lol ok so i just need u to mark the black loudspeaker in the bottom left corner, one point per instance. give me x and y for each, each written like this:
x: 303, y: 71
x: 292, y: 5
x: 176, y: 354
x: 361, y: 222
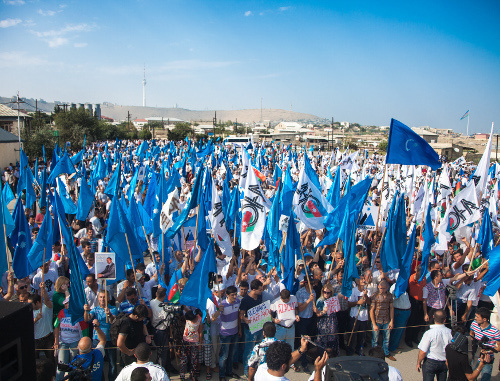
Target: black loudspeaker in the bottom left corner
x: 17, y: 343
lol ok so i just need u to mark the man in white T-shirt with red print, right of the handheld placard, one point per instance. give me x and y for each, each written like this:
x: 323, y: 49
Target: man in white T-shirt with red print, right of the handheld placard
x: 285, y: 313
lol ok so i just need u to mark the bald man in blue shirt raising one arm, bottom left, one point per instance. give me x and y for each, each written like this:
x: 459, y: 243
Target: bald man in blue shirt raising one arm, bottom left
x: 94, y: 358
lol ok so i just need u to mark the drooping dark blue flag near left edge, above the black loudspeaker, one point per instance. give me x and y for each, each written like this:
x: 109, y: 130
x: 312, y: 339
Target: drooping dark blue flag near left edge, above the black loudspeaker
x: 21, y: 241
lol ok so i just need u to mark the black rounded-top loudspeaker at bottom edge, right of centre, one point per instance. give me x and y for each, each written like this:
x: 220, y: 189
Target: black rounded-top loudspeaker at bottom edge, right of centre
x: 349, y: 368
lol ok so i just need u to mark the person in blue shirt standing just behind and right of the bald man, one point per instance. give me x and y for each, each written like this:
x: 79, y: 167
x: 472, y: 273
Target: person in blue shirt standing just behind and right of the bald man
x: 105, y: 316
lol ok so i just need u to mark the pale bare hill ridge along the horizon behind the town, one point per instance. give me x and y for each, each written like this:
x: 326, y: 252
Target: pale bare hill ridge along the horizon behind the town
x: 118, y: 113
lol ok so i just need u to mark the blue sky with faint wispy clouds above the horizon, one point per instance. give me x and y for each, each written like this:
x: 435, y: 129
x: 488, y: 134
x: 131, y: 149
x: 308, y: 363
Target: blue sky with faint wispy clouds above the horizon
x: 424, y: 63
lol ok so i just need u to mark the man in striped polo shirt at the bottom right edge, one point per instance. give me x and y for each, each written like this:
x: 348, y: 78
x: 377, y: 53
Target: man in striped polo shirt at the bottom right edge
x: 480, y: 328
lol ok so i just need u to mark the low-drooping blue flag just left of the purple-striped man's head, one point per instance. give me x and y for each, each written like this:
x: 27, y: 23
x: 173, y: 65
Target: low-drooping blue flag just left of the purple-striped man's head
x: 196, y: 292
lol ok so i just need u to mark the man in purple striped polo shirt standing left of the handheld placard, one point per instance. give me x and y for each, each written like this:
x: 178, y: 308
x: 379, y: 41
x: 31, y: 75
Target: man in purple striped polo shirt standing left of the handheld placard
x: 229, y: 329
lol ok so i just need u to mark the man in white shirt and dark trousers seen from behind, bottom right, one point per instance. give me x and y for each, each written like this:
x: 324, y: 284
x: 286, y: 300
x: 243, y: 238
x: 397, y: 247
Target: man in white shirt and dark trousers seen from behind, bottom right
x: 432, y: 348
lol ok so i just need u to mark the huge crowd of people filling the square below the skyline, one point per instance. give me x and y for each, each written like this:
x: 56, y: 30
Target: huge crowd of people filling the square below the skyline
x: 311, y: 316
